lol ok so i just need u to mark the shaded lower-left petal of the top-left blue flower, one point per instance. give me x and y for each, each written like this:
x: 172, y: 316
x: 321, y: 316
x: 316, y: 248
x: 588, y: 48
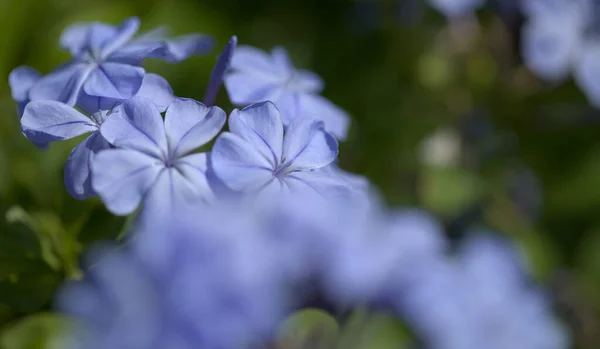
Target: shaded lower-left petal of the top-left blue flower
x: 63, y: 85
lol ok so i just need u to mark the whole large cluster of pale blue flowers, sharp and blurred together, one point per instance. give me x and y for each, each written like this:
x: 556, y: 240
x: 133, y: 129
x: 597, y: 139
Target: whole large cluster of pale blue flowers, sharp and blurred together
x: 231, y: 239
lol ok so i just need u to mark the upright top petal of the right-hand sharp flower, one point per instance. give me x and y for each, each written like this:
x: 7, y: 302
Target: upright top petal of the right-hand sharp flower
x: 260, y: 125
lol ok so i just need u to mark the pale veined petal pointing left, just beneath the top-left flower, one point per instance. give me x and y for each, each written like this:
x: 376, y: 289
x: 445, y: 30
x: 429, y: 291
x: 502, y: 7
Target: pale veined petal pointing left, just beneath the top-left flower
x: 52, y: 120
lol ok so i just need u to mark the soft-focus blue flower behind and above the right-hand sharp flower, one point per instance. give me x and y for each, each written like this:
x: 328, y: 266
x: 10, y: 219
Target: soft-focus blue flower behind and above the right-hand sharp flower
x: 257, y: 76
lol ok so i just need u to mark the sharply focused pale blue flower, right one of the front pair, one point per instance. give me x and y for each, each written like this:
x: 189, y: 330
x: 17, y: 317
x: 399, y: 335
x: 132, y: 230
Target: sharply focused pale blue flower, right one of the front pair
x: 257, y: 155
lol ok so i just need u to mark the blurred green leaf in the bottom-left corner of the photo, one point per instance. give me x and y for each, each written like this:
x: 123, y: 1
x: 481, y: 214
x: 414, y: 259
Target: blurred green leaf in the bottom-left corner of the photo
x: 40, y: 331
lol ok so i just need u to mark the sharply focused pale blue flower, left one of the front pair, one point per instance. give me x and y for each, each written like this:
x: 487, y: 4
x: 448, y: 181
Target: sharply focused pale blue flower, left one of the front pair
x: 155, y: 156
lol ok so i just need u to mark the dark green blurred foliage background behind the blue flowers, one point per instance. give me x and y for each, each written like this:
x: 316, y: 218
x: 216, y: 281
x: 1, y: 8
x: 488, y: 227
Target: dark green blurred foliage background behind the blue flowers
x: 444, y: 116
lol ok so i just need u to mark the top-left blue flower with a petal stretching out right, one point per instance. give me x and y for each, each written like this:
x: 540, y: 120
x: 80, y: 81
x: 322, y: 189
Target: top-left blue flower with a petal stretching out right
x: 106, y: 61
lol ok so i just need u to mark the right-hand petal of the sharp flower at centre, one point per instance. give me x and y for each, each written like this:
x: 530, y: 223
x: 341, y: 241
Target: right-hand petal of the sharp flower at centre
x: 307, y: 146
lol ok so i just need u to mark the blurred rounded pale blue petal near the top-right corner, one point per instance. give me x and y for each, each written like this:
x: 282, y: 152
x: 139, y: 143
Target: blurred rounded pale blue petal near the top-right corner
x: 549, y: 48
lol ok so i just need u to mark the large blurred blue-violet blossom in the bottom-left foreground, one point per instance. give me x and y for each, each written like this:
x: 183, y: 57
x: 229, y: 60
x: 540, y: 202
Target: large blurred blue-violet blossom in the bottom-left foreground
x: 192, y: 282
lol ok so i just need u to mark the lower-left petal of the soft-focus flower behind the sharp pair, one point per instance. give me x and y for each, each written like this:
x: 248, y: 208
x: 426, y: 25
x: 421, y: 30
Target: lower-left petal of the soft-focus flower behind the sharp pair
x: 244, y: 88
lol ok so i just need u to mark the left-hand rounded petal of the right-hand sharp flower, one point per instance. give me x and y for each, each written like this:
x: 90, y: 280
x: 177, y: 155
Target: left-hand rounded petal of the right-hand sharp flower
x: 238, y: 164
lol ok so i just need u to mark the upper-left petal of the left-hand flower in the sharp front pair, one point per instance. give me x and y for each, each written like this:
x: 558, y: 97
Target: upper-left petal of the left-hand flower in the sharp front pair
x: 137, y: 126
